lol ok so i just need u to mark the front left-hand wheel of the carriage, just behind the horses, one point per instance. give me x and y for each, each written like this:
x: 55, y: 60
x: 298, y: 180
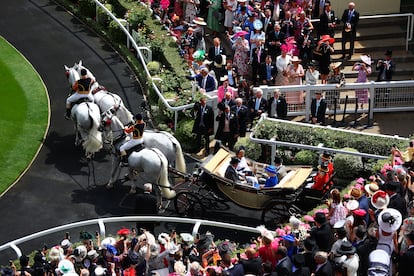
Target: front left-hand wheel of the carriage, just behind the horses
x: 188, y: 205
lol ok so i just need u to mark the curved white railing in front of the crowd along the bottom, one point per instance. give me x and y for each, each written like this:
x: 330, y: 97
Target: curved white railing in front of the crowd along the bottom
x: 100, y: 222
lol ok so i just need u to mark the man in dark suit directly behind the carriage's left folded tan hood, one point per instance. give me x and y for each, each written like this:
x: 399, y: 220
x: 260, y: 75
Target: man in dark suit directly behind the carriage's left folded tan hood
x: 228, y: 129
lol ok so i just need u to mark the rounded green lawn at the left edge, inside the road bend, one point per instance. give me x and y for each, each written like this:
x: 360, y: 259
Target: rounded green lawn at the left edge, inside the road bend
x: 24, y: 114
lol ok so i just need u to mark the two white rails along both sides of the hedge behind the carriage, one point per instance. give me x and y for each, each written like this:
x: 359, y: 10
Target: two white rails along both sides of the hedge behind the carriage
x: 319, y: 148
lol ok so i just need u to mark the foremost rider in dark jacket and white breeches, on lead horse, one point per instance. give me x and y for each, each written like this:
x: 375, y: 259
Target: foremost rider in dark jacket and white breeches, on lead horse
x: 83, y: 91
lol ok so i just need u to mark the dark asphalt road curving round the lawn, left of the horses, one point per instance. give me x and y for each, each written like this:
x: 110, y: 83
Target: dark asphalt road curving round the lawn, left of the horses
x: 60, y: 187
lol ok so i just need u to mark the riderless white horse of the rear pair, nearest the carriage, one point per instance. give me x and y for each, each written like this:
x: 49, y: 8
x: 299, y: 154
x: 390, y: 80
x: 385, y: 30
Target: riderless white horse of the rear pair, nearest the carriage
x: 164, y: 141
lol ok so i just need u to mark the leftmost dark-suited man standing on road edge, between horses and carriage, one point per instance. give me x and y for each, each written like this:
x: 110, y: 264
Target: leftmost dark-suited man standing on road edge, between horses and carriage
x: 203, y: 124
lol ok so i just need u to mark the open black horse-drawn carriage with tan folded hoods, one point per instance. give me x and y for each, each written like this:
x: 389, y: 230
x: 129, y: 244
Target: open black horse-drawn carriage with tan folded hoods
x: 290, y: 196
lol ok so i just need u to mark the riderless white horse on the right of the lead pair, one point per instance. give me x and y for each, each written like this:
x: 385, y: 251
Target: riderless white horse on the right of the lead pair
x: 105, y: 99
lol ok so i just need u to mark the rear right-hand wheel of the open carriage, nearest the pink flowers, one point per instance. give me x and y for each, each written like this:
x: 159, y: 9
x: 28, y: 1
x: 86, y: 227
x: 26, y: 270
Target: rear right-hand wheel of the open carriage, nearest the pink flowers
x: 275, y: 214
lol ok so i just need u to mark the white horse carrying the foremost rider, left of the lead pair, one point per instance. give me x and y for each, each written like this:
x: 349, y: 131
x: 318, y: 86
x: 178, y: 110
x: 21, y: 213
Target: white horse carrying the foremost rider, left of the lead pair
x: 86, y: 117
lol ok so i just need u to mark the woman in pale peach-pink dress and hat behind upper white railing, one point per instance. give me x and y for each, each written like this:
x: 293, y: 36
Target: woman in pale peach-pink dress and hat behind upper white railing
x: 295, y: 74
